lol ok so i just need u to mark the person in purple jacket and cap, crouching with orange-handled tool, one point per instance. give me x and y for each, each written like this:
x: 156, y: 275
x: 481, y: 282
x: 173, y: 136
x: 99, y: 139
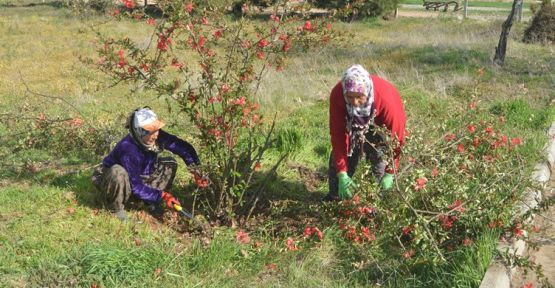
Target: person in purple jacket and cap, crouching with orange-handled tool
x: 133, y: 168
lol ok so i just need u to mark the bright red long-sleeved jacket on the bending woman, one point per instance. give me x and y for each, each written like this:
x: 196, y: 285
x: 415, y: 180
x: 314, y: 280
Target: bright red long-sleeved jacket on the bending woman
x: 389, y: 113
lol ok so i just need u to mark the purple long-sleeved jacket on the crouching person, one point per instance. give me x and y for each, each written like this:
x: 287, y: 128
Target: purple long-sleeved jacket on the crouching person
x: 137, y: 161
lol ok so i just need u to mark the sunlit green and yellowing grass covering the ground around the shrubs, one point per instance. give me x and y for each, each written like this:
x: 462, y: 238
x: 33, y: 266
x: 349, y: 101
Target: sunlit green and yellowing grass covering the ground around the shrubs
x: 52, y: 235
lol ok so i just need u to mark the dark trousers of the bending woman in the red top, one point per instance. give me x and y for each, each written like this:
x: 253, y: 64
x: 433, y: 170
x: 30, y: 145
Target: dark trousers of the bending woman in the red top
x: 374, y: 148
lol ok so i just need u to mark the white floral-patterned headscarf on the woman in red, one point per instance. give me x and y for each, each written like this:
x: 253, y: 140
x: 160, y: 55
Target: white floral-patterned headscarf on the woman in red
x: 357, y: 79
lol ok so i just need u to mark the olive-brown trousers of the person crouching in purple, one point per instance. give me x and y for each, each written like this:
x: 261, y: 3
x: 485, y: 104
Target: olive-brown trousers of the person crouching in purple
x: 115, y: 188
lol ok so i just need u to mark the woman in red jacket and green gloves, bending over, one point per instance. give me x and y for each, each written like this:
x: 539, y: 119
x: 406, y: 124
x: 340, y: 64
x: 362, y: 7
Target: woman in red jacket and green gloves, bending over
x: 358, y: 104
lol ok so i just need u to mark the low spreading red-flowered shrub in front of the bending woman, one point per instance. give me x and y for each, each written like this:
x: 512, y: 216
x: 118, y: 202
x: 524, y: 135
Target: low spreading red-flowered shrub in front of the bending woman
x: 448, y: 191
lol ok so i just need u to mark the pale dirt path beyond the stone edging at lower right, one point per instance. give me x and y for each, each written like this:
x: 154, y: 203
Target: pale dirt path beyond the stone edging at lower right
x: 544, y: 255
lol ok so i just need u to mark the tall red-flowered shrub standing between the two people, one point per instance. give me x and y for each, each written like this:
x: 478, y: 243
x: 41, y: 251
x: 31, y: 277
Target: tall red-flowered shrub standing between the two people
x: 211, y: 66
